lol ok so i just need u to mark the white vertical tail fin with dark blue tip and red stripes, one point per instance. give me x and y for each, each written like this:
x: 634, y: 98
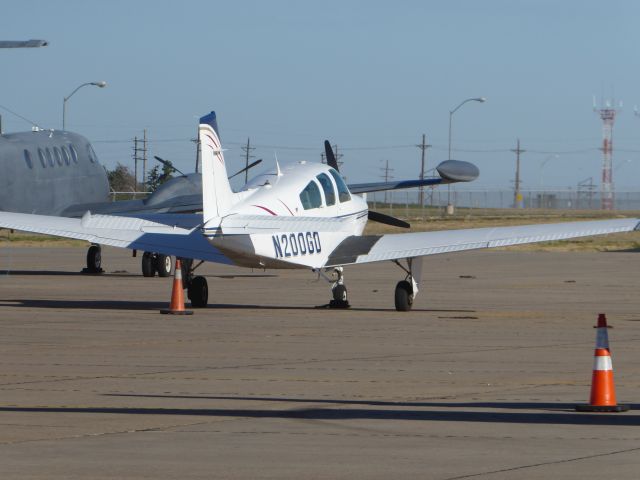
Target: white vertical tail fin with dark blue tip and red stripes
x: 217, y: 196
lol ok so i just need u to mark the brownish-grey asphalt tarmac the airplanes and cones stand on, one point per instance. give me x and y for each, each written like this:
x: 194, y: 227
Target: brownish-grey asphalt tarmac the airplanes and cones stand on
x: 478, y: 381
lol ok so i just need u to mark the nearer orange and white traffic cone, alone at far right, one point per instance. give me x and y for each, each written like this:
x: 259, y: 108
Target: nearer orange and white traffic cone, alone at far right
x: 603, y: 391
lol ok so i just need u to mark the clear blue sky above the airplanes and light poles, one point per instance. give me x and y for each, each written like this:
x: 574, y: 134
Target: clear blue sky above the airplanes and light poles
x: 373, y: 74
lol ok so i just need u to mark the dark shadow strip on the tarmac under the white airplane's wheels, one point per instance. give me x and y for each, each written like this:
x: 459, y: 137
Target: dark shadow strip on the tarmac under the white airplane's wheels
x: 152, y: 305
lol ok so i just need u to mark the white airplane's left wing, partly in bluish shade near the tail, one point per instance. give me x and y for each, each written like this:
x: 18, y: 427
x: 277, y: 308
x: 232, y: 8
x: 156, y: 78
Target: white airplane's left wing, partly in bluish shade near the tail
x: 178, y: 235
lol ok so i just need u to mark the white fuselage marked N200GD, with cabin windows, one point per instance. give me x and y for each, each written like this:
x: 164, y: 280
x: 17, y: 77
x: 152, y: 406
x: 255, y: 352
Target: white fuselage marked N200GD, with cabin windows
x: 299, y: 191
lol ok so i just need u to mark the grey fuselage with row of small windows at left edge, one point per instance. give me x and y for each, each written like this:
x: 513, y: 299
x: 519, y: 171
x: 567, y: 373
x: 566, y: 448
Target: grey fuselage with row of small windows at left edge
x: 46, y: 172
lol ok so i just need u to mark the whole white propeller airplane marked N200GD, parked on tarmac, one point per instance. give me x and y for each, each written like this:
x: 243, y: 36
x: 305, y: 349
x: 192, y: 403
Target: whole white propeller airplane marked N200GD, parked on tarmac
x: 302, y: 216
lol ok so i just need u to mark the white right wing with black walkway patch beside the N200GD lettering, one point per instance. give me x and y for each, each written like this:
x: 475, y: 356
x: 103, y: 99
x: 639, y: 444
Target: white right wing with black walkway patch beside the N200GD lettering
x: 375, y: 248
